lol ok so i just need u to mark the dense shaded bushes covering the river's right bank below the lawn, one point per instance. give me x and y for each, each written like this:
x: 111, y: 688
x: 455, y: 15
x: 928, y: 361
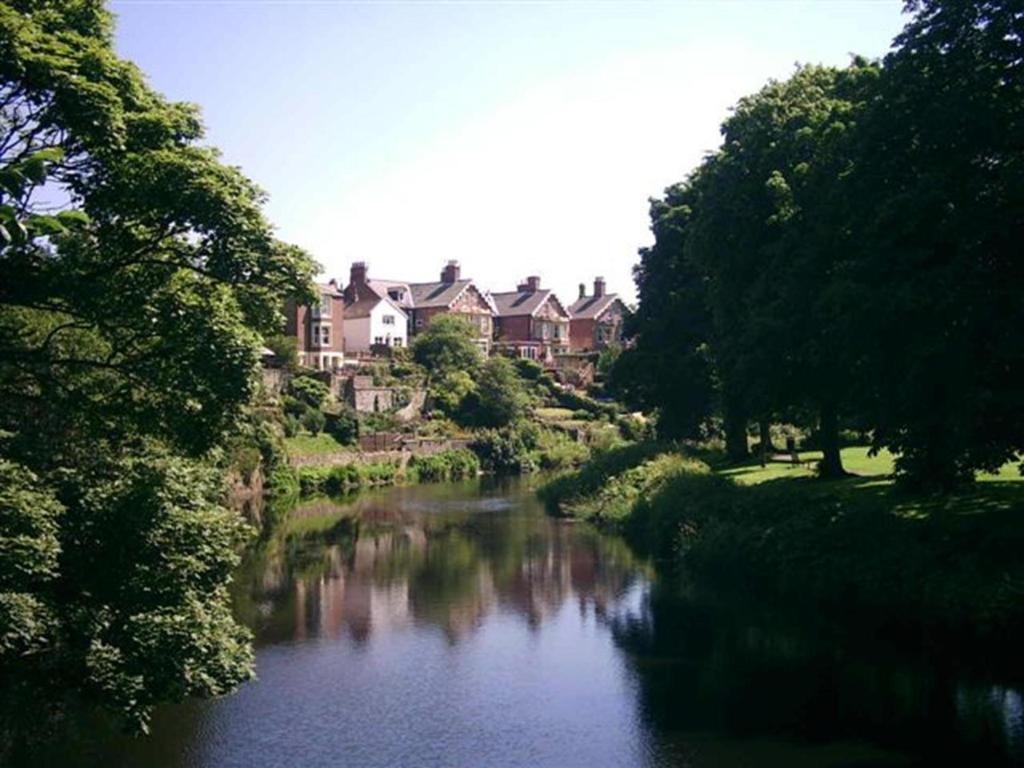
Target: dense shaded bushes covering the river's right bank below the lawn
x: 953, y: 560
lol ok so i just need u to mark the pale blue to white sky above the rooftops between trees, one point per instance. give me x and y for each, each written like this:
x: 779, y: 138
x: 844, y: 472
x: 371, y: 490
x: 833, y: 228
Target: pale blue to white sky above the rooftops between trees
x: 518, y: 138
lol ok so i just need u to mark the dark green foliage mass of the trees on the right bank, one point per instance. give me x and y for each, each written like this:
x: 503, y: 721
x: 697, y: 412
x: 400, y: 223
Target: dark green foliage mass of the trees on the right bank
x: 846, y: 259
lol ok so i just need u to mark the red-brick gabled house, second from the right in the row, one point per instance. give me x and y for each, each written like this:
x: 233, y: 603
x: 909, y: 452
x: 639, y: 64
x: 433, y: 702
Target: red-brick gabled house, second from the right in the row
x: 531, y: 322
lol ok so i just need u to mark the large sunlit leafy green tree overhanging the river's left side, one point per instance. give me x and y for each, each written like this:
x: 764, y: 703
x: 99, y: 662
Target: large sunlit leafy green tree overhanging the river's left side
x: 138, y: 276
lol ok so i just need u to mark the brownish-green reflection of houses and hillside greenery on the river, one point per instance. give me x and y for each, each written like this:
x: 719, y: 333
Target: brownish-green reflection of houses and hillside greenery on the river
x: 438, y: 557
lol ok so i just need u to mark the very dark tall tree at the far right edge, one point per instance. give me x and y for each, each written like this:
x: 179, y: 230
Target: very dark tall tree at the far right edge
x: 941, y: 220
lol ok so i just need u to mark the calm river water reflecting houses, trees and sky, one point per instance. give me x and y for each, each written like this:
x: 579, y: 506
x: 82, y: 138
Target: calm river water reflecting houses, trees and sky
x: 458, y: 626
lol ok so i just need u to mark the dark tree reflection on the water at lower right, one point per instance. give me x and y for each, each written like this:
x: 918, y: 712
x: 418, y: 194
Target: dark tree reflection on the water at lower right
x: 746, y: 671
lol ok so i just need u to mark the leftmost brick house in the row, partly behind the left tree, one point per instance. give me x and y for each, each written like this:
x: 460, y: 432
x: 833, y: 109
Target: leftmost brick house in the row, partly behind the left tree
x: 320, y: 329
